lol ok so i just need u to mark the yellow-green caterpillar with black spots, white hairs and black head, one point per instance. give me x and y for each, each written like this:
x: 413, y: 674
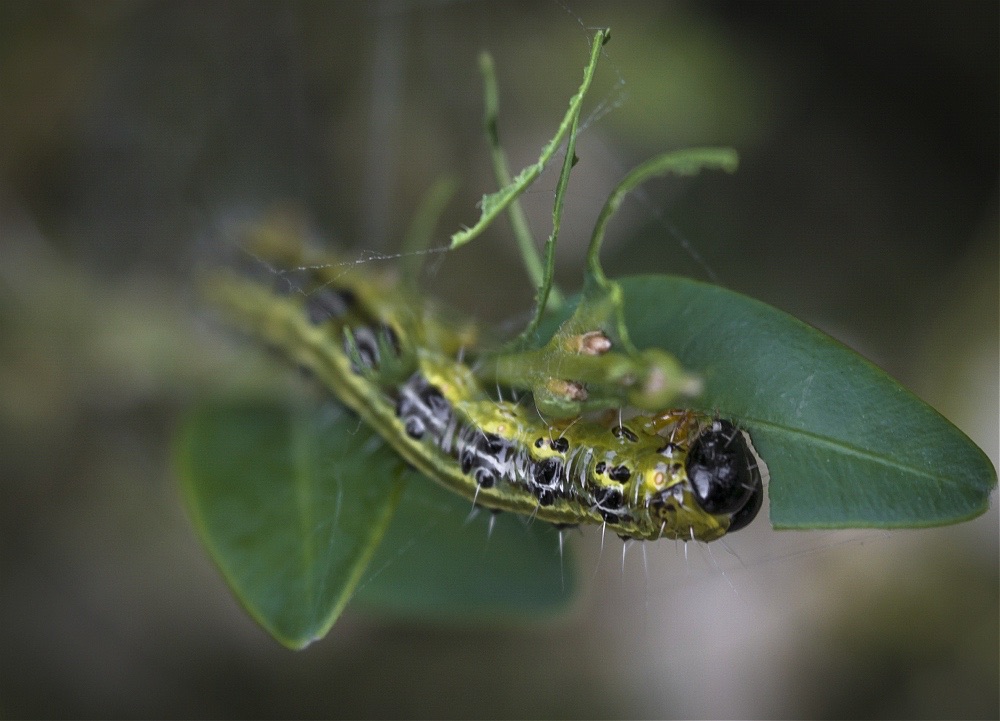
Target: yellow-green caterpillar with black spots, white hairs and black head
x: 408, y: 370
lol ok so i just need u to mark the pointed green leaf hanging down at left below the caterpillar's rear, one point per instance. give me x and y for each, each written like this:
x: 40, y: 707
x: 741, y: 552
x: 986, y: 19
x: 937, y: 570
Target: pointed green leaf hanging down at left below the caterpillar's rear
x: 290, y: 524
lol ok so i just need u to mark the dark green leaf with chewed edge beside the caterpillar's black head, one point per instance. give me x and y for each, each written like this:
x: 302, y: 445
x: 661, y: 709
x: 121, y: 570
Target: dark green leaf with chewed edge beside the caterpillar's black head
x: 845, y: 444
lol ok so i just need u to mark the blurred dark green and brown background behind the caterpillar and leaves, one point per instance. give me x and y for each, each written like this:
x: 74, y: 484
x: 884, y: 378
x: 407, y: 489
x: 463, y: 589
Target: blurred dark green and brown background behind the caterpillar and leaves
x: 866, y: 203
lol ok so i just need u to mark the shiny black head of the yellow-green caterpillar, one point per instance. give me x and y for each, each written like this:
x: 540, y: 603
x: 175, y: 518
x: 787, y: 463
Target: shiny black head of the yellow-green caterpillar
x: 724, y: 475
